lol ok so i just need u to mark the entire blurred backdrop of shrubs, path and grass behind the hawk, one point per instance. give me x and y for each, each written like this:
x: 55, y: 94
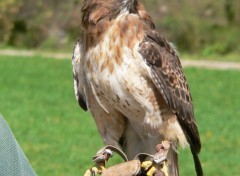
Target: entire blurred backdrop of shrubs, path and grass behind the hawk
x: 36, y: 89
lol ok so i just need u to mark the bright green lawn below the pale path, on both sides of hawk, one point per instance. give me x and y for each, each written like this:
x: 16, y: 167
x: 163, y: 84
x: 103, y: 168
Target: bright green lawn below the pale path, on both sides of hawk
x: 37, y: 100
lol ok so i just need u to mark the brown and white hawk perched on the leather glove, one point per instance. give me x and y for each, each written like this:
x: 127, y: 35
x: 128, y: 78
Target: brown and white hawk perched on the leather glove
x: 132, y: 81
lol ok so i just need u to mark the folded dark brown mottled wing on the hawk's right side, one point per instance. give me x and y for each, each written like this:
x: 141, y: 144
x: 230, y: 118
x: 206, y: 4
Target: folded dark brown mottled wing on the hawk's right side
x: 167, y: 75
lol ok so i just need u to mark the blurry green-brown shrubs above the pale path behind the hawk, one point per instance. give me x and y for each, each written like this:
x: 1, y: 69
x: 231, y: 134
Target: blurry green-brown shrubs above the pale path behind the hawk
x: 204, y: 27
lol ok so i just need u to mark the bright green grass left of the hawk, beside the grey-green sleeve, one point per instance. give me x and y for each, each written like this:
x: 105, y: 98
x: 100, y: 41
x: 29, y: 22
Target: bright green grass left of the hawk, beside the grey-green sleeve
x: 37, y: 101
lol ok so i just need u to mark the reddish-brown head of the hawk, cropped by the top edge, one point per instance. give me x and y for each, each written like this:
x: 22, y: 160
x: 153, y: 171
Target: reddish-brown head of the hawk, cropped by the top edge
x: 101, y: 11
